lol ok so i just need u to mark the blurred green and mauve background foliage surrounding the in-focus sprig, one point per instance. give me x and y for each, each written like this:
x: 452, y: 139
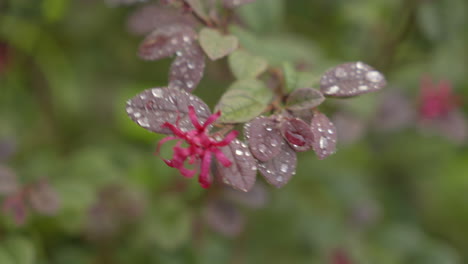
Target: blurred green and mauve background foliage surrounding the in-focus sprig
x: 395, y: 191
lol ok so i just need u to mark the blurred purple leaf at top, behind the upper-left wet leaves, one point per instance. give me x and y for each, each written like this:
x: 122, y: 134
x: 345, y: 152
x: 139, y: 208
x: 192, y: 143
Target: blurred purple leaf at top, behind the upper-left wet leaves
x: 150, y: 17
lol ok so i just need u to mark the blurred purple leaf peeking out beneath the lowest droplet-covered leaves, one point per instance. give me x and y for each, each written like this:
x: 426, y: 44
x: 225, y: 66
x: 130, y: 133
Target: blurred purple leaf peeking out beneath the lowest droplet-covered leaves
x: 255, y: 198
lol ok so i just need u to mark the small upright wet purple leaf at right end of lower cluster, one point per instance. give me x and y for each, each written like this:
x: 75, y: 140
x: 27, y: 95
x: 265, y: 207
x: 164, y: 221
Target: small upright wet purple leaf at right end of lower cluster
x: 324, y: 135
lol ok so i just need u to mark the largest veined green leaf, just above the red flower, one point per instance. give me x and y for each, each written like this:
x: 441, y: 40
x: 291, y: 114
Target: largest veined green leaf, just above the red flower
x: 244, y: 100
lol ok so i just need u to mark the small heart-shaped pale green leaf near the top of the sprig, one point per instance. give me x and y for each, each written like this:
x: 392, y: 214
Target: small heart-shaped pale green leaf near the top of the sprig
x: 215, y: 44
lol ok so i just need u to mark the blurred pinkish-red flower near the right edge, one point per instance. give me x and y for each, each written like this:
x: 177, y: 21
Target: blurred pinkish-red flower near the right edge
x: 437, y: 101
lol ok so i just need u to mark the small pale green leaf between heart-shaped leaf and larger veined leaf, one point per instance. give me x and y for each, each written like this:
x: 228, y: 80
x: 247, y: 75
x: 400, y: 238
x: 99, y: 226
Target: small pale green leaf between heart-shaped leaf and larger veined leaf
x: 245, y: 65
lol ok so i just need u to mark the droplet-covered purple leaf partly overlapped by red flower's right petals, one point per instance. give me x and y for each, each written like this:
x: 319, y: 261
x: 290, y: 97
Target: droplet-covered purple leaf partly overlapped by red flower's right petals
x: 242, y: 173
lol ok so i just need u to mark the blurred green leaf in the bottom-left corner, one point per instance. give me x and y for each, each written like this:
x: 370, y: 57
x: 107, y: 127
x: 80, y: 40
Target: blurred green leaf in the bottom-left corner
x: 21, y: 249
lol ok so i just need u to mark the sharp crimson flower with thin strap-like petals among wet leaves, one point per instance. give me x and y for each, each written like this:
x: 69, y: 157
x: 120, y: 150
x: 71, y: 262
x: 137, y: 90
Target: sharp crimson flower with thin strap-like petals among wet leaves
x: 201, y: 147
